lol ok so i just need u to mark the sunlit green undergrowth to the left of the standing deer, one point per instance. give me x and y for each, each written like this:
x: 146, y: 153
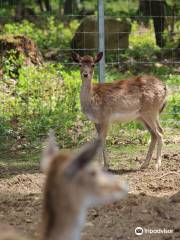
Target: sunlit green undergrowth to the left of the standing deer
x: 42, y: 98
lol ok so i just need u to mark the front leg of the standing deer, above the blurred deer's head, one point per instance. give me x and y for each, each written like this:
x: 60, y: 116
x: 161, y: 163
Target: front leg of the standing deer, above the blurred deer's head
x: 102, y: 133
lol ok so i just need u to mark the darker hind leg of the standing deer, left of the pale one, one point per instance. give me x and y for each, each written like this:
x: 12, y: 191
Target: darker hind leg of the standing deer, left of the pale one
x: 151, y: 146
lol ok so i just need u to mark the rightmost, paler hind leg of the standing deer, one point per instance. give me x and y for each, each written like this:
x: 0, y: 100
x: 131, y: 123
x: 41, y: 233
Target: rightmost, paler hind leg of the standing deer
x: 157, y: 130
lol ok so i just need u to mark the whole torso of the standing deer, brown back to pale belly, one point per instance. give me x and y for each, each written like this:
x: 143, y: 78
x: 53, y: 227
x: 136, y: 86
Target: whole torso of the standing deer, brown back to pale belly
x: 125, y: 100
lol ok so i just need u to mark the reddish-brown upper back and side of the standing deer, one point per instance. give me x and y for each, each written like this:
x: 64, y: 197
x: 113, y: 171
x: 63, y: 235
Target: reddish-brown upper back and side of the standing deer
x: 143, y: 88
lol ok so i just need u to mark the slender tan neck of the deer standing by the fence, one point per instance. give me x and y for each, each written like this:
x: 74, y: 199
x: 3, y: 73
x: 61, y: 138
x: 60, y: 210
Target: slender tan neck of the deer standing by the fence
x: 86, y: 94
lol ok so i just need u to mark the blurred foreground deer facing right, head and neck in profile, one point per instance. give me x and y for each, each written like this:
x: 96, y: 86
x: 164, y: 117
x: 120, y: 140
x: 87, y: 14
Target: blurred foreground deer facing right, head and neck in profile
x: 72, y: 185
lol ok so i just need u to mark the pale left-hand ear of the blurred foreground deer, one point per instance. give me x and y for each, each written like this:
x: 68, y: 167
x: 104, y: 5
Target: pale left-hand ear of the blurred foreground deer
x: 49, y: 151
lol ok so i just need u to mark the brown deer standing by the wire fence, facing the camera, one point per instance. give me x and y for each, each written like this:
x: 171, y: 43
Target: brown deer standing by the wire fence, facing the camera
x: 139, y: 98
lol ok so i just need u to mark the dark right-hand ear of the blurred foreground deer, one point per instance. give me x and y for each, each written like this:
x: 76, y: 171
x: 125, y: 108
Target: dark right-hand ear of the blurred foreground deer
x: 84, y: 157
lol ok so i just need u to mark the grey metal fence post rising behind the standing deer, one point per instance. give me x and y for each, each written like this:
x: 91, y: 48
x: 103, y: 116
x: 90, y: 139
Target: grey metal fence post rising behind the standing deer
x: 101, y: 40
